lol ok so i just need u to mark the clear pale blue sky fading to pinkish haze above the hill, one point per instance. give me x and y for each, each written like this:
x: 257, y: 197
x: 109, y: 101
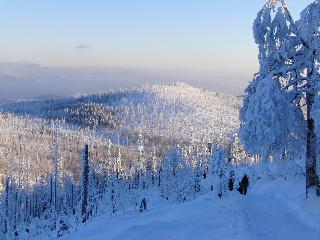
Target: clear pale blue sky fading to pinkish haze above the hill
x: 207, y: 43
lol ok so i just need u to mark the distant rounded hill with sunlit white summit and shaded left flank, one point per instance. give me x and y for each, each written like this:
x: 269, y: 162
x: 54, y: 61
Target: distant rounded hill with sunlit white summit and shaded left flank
x: 178, y: 110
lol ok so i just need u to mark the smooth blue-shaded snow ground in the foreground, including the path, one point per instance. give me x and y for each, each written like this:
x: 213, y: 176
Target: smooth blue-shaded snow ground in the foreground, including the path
x: 273, y: 209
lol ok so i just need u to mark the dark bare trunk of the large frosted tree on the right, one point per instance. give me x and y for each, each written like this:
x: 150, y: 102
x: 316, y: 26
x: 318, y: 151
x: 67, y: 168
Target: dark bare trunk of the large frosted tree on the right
x: 311, y: 151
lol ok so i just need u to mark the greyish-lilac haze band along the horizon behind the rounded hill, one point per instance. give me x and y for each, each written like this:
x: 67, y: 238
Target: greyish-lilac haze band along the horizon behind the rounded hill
x: 28, y: 80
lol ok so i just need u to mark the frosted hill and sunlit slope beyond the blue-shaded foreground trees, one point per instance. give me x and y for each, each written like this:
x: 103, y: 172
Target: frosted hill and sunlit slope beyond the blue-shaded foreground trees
x: 158, y: 117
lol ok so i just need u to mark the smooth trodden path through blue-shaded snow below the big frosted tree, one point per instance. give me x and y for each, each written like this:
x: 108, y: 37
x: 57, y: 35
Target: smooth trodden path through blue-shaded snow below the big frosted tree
x: 269, y: 218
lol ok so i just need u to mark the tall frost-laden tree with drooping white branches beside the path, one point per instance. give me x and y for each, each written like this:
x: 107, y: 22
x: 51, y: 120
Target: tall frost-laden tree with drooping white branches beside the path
x: 277, y: 112
